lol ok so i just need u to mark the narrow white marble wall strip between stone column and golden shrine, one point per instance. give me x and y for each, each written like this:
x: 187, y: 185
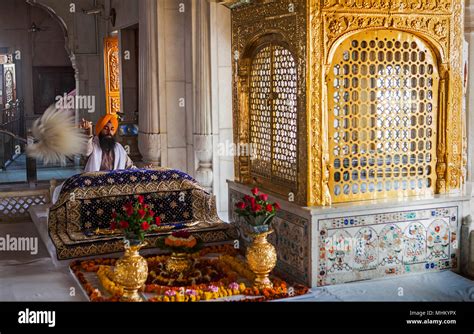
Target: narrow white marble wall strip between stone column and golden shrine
x: 221, y: 87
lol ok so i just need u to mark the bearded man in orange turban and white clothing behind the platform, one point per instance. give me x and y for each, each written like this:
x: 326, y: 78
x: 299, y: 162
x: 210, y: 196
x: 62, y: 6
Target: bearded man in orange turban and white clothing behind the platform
x: 103, y: 152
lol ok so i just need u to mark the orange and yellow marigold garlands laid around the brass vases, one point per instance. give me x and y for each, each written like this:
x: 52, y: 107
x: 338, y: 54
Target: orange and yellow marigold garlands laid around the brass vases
x: 231, y: 266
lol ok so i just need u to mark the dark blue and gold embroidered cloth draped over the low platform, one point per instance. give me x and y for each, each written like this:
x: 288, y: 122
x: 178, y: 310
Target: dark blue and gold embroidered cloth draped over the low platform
x: 79, y: 223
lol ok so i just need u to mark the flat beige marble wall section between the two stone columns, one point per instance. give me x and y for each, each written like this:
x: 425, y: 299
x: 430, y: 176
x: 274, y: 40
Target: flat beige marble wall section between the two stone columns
x: 176, y: 120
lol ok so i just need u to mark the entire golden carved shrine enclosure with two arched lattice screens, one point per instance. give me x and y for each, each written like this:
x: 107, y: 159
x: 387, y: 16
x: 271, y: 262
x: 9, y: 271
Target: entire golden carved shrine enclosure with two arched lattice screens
x: 349, y: 100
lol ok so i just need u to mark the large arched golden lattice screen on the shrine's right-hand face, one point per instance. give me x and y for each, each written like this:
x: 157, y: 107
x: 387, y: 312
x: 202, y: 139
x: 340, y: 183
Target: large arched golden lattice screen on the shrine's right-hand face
x: 382, y: 105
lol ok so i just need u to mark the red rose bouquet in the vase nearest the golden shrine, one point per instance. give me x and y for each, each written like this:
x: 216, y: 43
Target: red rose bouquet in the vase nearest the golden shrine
x: 257, y: 211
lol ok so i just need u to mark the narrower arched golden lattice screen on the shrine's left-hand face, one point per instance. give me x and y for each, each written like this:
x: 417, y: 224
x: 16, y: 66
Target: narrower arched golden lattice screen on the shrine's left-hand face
x: 273, y: 115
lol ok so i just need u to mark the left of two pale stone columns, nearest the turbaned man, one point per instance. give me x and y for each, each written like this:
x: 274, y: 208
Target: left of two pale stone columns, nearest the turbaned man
x: 149, y: 140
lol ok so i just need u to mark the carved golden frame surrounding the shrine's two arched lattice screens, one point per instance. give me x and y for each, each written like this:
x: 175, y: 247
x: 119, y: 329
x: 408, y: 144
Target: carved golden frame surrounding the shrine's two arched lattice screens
x: 313, y: 31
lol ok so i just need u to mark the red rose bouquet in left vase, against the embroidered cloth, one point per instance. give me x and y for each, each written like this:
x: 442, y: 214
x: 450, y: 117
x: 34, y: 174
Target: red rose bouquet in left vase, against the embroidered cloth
x: 136, y: 220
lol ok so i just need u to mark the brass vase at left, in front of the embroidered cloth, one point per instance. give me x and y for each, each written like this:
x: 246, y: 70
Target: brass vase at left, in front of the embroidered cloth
x: 131, y: 272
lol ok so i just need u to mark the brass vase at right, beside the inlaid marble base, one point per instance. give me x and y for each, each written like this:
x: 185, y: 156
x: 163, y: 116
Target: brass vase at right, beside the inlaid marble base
x: 261, y: 259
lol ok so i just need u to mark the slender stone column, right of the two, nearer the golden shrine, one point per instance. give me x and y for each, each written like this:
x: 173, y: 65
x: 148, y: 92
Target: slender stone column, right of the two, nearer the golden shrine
x: 202, y: 94
